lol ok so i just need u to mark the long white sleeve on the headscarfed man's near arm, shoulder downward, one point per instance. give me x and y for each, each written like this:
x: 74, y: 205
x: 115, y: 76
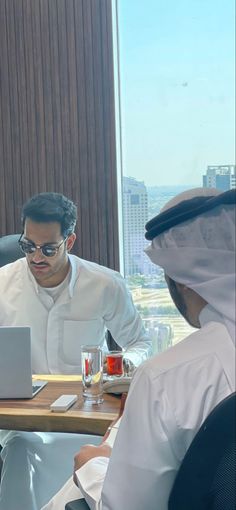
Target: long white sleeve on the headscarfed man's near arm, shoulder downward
x: 143, y: 463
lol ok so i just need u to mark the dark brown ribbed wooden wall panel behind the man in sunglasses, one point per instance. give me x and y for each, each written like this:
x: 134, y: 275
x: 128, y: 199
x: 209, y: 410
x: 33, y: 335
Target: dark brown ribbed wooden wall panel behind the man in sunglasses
x: 57, y: 119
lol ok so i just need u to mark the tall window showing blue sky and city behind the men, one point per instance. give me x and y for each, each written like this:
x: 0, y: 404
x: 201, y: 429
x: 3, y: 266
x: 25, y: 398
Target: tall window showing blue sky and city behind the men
x: 176, y: 70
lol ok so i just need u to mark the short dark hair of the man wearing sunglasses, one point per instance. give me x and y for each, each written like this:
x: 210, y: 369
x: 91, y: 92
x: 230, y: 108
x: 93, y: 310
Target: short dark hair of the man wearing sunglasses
x: 49, y: 207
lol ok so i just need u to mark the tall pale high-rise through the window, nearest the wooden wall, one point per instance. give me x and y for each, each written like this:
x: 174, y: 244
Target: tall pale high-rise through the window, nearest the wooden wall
x: 135, y: 216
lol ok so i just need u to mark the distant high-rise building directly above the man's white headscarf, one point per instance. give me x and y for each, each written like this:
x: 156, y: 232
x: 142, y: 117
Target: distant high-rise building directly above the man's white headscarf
x: 222, y: 177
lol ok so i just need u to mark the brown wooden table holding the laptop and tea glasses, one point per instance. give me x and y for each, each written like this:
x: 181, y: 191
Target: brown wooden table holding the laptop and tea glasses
x: 35, y: 414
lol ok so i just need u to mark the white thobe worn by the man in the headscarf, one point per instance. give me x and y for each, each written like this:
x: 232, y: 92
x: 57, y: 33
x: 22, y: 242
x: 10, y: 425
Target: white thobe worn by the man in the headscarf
x: 170, y: 397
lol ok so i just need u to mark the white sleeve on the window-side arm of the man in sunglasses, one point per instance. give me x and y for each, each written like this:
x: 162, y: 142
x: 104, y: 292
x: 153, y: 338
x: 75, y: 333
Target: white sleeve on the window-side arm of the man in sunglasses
x: 125, y: 324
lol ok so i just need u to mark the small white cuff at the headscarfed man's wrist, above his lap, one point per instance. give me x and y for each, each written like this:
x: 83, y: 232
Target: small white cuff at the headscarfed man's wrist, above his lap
x: 90, y: 479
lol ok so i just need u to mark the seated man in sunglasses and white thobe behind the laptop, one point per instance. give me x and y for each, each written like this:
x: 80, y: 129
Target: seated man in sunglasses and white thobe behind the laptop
x: 67, y: 302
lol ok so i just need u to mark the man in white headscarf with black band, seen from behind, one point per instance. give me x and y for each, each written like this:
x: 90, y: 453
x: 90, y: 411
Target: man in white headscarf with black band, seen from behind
x: 171, y: 395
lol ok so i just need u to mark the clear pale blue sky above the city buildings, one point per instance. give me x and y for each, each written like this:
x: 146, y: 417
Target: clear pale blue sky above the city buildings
x: 177, y: 88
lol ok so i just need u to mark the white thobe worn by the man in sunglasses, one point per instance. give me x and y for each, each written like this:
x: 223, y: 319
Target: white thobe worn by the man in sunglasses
x: 95, y: 299
